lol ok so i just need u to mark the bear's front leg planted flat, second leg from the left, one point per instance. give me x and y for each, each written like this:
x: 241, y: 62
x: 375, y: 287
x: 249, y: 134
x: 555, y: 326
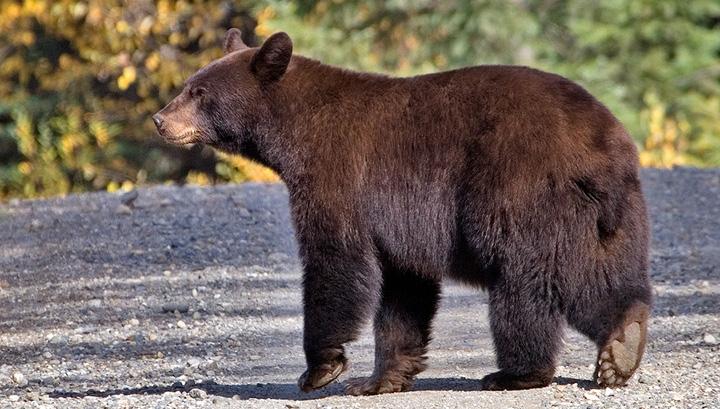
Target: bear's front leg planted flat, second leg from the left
x: 402, y: 333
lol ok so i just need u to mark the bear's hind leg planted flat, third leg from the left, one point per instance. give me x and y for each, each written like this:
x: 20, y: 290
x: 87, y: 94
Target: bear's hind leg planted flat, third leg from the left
x: 526, y: 328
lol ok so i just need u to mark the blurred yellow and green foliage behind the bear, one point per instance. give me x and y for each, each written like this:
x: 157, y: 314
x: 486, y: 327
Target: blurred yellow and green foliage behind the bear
x: 79, y: 79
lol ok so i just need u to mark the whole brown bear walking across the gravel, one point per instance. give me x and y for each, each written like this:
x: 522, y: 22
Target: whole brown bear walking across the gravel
x: 506, y: 178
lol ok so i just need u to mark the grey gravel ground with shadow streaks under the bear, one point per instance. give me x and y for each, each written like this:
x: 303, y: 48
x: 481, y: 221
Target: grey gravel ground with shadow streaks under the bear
x: 192, y: 299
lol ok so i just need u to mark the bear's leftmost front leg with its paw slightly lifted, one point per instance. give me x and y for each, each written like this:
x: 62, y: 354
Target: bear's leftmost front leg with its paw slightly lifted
x: 341, y: 286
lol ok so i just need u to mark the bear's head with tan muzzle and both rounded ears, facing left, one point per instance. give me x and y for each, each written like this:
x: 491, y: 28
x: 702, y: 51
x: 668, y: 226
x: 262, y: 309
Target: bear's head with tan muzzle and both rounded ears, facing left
x: 225, y: 103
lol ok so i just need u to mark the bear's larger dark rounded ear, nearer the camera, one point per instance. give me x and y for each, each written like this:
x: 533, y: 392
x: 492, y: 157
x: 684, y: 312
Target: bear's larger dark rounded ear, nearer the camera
x: 271, y: 60
